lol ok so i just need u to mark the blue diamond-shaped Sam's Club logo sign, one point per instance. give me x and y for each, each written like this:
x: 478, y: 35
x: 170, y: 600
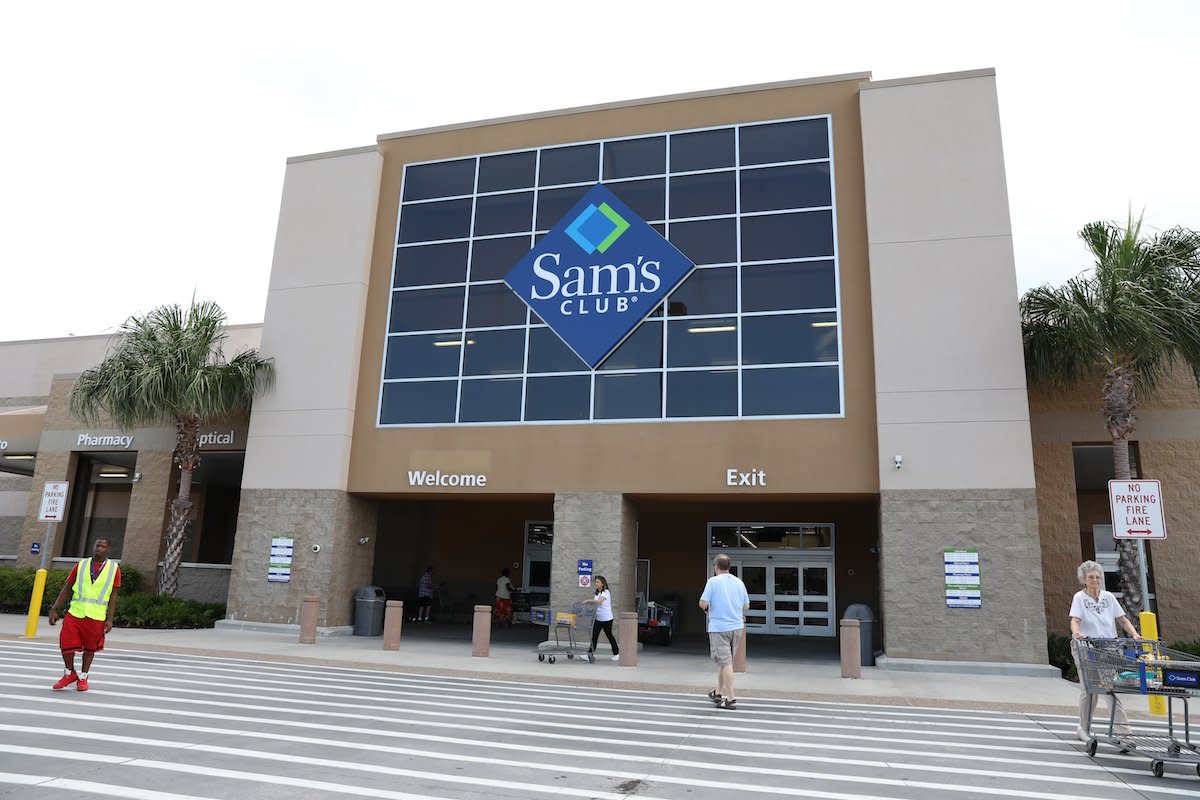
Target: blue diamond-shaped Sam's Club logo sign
x: 598, y: 274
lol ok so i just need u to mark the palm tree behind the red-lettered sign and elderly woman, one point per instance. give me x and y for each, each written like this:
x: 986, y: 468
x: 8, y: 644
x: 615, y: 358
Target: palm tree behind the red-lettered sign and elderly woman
x: 1132, y: 320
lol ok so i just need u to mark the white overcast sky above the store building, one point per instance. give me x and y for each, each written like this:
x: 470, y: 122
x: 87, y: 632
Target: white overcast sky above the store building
x: 143, y: 148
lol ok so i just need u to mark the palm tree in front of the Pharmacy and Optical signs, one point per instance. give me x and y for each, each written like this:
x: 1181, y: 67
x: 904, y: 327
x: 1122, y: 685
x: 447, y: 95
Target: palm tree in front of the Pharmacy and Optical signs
x: 170, y: 368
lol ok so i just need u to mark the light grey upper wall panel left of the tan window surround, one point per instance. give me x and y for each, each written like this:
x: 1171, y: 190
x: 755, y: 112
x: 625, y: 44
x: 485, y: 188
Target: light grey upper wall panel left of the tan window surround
x: 301, y: 432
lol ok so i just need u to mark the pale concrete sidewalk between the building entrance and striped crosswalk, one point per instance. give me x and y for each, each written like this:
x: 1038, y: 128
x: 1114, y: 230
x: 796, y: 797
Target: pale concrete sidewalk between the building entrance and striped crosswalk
x: 446, y: 649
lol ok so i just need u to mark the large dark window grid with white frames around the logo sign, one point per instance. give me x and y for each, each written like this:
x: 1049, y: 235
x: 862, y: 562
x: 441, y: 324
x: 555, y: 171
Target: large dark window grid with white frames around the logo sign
x: 497, y: 389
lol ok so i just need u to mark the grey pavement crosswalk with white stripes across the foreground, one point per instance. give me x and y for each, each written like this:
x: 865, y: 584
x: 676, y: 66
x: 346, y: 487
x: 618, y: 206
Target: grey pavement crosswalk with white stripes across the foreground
x: 171, y: 726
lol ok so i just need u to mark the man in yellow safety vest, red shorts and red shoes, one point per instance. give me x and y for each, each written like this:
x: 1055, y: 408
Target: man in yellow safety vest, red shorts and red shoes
x: 92, y: 587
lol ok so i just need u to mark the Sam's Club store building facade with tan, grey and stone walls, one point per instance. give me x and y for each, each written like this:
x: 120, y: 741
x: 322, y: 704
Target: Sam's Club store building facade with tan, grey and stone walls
x: 777, y: 322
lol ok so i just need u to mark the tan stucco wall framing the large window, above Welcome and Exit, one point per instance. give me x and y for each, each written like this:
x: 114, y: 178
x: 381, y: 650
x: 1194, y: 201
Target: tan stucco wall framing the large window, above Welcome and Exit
x: 677, y: 458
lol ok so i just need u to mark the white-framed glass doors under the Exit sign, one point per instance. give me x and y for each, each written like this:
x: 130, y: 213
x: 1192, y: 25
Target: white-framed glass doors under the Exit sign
x: 789, y: 575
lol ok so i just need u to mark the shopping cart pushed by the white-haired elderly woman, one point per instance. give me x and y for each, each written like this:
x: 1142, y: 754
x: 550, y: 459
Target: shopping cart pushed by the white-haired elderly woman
x: 1142, y: 667
